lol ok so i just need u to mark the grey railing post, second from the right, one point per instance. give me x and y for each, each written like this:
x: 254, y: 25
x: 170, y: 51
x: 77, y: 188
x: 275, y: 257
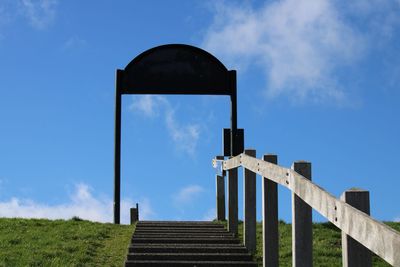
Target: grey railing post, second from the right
x: 301, y: 223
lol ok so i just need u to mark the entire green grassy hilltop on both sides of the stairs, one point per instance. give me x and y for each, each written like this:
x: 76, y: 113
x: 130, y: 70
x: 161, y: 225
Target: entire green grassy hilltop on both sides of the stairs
x: 33, y: 242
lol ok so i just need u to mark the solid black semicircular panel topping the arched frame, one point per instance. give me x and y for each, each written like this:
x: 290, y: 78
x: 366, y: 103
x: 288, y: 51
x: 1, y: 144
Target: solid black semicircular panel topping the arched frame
x: 175, y: 69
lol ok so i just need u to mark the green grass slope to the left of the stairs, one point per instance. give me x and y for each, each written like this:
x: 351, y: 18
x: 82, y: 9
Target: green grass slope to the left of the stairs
x: 34, y: 242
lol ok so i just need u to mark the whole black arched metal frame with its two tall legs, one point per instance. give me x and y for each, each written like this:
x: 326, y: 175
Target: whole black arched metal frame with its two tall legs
x: 172, y: 69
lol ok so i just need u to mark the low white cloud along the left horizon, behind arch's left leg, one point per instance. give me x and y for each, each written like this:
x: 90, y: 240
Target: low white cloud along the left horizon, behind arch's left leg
x: 82, y: 204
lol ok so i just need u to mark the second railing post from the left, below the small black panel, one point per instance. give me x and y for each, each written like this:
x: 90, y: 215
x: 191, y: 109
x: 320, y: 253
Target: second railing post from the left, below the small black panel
x: 233, y: 201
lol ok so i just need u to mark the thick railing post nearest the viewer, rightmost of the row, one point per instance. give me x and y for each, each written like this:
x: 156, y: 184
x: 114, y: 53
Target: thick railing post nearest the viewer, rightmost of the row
x: 355, y: 254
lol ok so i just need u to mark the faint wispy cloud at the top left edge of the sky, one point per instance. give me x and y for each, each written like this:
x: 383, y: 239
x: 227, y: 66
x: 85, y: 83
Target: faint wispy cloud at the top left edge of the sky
x: 40, y: 13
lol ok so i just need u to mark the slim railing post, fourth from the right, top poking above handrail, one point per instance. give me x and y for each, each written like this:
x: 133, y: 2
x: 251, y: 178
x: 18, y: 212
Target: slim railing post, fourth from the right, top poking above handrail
x: 249, y: 206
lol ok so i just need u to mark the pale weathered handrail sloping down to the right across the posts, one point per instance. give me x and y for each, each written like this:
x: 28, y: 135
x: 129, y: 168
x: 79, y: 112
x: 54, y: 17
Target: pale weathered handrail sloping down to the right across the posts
x: 376, y: 236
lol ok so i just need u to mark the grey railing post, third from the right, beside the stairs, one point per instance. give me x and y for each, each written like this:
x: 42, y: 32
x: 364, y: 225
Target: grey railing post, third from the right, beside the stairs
x: 270, y: 218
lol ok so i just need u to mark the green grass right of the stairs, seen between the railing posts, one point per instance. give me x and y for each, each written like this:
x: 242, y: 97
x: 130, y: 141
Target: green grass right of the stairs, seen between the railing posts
x: 327, y: 249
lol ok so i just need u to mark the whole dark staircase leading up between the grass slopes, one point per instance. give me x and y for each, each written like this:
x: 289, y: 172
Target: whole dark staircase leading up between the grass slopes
x: 159, y: 243
